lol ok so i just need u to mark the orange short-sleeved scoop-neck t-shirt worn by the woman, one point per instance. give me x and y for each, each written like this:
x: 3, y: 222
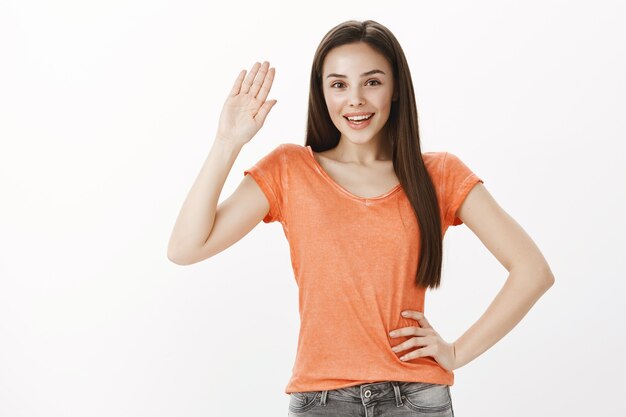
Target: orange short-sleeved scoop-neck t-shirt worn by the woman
x: 354, y: 261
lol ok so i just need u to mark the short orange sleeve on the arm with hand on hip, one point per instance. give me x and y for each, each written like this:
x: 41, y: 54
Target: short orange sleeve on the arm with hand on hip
x: 458, y: 180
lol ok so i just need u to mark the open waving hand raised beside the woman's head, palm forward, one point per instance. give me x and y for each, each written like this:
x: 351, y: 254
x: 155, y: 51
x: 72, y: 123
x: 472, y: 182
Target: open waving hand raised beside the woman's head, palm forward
x: 246, y: 108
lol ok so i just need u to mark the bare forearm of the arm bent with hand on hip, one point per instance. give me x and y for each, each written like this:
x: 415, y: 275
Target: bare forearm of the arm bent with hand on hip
x: 522, y: 289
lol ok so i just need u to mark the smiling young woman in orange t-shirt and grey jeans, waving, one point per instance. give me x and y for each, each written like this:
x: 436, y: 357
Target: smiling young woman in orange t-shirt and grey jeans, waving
x: 365, y: 212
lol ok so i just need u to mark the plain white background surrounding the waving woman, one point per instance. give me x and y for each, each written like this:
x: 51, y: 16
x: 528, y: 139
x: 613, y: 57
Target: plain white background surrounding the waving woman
x: 108, y: 109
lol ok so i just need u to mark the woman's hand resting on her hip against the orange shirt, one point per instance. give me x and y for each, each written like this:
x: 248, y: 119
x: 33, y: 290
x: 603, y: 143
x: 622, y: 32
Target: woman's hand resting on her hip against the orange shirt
x: 425, y: 336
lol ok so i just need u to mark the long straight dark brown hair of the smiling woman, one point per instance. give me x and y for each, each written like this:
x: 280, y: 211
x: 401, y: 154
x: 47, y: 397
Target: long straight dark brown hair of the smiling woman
x: 401, y: 130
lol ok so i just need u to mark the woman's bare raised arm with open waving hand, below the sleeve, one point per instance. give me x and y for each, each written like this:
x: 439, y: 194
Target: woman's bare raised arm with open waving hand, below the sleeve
x: 197, y: 234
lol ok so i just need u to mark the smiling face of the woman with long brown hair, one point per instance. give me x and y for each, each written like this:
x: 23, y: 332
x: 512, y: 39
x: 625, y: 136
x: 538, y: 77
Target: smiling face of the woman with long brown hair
x: 357, y: 80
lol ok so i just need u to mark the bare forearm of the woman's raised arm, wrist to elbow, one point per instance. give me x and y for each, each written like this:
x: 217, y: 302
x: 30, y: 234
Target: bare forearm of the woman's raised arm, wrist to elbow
x: 197, y: 215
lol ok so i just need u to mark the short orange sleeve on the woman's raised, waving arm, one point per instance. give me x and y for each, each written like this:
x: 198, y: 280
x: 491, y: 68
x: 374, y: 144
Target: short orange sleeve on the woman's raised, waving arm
x: 268, y: 174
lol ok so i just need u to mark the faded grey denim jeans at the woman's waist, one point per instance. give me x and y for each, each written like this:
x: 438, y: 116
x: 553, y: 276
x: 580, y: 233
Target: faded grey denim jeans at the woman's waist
x: 388, y: 398
